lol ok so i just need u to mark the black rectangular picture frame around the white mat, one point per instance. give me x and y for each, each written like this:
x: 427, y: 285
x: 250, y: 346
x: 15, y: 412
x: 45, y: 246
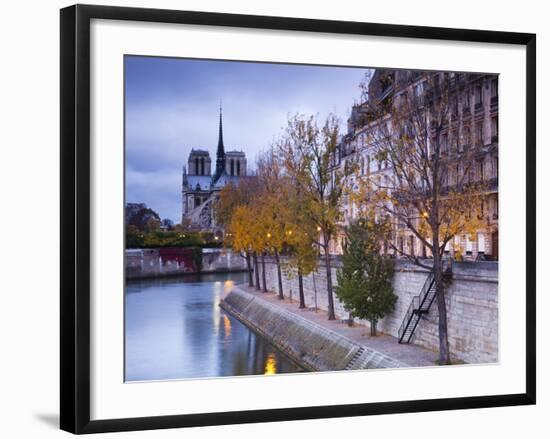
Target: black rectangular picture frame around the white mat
x: 75, y: 217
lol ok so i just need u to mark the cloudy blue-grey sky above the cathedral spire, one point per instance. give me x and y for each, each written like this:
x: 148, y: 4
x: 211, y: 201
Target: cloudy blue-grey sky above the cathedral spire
x: 172, y: 105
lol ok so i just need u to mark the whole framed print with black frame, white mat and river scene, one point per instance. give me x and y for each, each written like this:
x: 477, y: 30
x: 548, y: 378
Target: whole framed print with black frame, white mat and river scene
x: 259, y: 214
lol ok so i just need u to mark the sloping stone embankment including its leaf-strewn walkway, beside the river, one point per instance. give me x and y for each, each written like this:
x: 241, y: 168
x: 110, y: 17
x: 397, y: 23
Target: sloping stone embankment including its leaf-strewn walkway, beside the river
x: 314, y: 342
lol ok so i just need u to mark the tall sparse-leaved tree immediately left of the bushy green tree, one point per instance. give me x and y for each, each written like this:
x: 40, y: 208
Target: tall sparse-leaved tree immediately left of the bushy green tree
x: 306, y: 150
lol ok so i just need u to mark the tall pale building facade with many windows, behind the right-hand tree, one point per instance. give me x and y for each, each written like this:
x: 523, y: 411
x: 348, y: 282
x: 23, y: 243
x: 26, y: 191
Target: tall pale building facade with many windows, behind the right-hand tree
x: 472, y: 126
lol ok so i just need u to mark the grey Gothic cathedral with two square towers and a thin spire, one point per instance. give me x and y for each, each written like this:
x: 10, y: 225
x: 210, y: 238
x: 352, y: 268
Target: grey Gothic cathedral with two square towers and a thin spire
x: 200, y: 188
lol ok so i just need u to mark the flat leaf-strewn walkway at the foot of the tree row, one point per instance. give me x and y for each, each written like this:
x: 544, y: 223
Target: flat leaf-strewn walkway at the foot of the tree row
x: 410, y: 354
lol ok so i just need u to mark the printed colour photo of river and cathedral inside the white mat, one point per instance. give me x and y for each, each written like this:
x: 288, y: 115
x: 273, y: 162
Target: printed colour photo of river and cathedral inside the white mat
x: 296, y: 218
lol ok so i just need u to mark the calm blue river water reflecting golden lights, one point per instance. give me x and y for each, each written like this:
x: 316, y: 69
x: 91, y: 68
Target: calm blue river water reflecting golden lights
x: 174, y: 329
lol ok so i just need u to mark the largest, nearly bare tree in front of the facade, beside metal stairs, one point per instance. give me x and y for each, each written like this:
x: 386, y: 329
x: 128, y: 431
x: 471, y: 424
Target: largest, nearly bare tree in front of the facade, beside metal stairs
x: 426, y: 184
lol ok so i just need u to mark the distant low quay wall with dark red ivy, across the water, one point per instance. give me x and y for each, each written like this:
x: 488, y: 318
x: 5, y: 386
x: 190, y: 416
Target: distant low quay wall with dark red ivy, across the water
x: 172, y: 261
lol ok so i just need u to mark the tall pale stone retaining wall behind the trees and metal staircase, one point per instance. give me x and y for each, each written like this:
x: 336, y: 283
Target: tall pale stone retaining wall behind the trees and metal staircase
x: 471, y: 296
